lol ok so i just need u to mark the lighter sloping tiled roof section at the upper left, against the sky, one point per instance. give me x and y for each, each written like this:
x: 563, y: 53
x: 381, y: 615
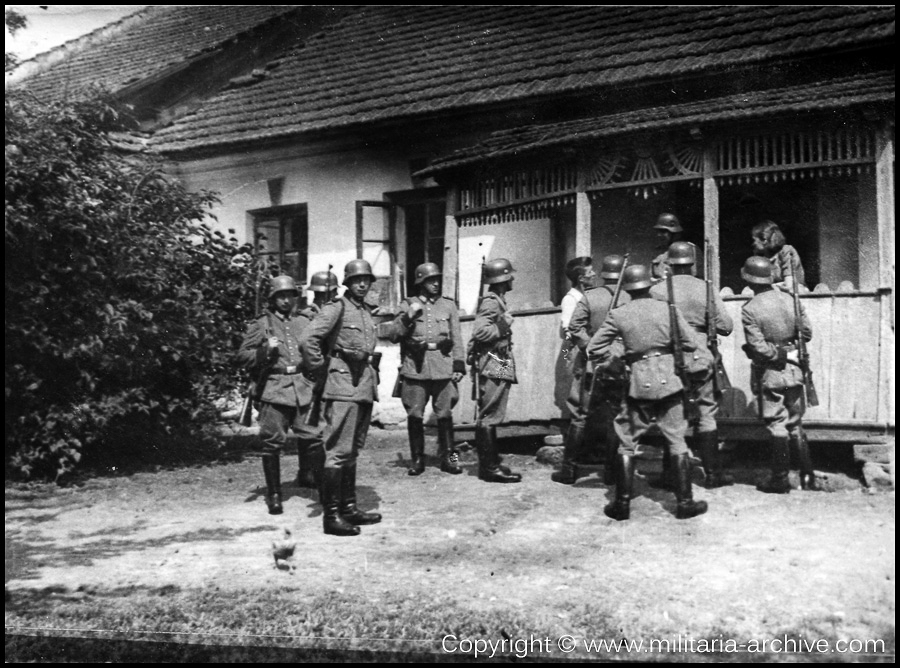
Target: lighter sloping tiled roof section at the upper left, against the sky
x: 147, y: 44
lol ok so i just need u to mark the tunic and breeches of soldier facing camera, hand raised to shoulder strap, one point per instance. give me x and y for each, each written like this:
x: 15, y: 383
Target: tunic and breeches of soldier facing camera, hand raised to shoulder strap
x: 431, y: 350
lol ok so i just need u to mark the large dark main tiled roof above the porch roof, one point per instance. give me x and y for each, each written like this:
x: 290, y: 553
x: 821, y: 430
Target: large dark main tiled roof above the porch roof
x: 396, y: 62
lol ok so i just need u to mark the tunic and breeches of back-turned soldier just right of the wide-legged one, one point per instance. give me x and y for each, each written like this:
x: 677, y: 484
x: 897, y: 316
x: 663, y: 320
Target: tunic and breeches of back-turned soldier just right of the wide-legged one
x: 690, y: 298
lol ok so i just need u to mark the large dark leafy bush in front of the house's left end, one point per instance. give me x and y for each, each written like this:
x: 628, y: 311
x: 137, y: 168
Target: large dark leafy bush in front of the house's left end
x: 123, y: 308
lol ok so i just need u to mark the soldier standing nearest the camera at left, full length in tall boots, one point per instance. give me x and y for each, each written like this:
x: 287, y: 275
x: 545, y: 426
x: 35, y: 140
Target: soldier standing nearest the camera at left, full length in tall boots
x: 341, y: 342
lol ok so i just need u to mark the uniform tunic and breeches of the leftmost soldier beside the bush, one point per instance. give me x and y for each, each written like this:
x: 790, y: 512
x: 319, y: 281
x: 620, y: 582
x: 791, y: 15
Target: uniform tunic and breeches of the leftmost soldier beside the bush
x: 287, y: 396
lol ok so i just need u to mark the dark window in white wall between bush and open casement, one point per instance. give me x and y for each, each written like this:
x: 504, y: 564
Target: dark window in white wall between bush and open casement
x: 281, y: 237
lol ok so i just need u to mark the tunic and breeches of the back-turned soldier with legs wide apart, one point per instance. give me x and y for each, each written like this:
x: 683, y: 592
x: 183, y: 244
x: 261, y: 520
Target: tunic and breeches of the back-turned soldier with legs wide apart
x: 654, y: 391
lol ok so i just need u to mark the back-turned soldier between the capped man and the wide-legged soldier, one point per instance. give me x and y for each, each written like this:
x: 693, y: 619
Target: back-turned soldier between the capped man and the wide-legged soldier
x: 587, y: 318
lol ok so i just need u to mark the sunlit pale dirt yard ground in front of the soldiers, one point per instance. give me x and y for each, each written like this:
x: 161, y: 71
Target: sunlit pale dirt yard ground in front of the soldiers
x: 754, y: 567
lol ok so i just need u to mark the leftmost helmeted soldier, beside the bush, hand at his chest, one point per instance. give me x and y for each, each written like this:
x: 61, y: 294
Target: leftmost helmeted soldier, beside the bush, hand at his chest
x: 271, y: 348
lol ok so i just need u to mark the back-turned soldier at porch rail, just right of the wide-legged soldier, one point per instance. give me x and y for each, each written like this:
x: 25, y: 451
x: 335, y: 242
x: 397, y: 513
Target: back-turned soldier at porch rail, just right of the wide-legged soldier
x: 690, y: 298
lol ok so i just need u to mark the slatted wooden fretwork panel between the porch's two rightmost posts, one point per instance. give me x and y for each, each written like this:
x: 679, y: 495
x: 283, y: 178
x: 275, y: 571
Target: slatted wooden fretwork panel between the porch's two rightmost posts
x: 790, y: 155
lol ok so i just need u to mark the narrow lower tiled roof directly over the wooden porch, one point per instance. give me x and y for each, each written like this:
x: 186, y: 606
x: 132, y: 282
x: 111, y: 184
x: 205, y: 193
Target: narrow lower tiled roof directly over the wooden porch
x: 842, y: 93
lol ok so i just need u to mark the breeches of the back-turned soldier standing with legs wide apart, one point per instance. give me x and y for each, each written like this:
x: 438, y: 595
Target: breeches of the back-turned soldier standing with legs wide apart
x: 637, y: 418
